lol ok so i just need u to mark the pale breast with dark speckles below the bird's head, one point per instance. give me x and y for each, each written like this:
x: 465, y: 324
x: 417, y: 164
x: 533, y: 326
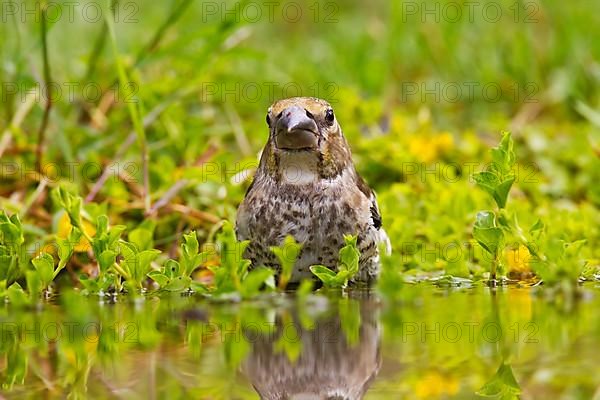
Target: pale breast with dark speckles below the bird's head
x: 317, y: 215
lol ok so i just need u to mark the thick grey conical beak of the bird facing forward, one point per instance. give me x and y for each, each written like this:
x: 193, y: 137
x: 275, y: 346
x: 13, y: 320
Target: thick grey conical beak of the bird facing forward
x: 296, y: 130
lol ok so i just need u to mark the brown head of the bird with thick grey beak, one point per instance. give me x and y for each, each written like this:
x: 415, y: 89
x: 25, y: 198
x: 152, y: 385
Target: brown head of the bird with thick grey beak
x: 304, y: 134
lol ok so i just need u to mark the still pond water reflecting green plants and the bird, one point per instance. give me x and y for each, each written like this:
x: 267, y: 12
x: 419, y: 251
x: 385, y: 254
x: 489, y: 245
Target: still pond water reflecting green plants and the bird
x: 433, y: 343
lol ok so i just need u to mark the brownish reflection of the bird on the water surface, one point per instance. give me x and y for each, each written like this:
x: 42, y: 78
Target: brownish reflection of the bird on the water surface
x: 332, y: 364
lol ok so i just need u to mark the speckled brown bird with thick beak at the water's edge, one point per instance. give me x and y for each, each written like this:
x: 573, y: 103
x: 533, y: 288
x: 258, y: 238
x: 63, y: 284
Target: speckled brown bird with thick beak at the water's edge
x: 306, y: 186
